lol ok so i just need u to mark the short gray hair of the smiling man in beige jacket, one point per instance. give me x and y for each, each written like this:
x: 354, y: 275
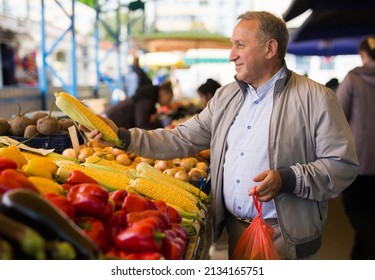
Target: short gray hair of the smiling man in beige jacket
x: 270, y: 27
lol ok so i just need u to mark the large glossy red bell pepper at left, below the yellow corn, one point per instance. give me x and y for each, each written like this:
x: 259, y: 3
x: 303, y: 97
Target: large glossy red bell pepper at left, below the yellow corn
x: 90, y: 200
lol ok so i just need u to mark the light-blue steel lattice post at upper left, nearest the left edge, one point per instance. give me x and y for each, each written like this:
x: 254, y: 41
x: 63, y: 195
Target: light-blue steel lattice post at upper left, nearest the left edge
x: 72, y: 87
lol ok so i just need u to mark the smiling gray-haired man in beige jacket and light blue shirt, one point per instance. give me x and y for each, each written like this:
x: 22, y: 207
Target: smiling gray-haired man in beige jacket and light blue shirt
x: 272, y: 129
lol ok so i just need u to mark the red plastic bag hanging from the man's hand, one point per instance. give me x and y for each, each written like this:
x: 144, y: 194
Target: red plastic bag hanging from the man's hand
x: 256, y: 243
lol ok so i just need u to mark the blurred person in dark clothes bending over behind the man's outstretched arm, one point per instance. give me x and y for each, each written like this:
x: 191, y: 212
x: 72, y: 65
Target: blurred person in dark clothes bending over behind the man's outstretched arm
x: 139, y: 110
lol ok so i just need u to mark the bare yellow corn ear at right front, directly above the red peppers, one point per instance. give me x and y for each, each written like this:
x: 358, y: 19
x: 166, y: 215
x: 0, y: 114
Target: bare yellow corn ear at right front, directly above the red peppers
x: 157, y: 191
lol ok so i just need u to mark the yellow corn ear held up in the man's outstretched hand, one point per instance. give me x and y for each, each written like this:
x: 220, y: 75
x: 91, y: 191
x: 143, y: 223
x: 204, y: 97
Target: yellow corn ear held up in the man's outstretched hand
x: 83, y: 115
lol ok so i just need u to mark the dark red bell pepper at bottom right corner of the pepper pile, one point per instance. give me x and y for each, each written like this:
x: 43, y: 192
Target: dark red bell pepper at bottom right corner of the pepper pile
x: 173, y: 246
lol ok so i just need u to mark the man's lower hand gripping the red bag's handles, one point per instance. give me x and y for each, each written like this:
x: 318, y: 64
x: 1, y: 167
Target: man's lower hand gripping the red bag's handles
x: 269, y: 185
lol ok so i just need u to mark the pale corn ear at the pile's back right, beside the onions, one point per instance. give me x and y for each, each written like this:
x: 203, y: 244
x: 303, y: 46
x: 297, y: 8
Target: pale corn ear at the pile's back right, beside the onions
x: 146, y: 170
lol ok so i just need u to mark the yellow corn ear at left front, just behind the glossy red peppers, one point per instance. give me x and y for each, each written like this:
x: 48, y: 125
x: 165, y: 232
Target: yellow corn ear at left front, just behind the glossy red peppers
x: 110, y: 180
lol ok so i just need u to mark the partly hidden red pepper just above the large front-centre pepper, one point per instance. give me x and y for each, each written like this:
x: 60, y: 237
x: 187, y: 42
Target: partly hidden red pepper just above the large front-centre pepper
x: 155, y: 217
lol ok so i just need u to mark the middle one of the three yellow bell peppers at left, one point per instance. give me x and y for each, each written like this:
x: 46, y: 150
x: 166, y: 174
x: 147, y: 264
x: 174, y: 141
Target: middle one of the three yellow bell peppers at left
x: 41, y: 167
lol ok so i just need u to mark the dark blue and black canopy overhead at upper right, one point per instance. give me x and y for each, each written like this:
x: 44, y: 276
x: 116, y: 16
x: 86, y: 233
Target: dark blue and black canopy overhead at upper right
x: 334, y: 27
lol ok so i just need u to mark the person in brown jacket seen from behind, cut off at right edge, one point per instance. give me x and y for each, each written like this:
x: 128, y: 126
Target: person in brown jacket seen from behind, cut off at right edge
x: 357, y: 96
